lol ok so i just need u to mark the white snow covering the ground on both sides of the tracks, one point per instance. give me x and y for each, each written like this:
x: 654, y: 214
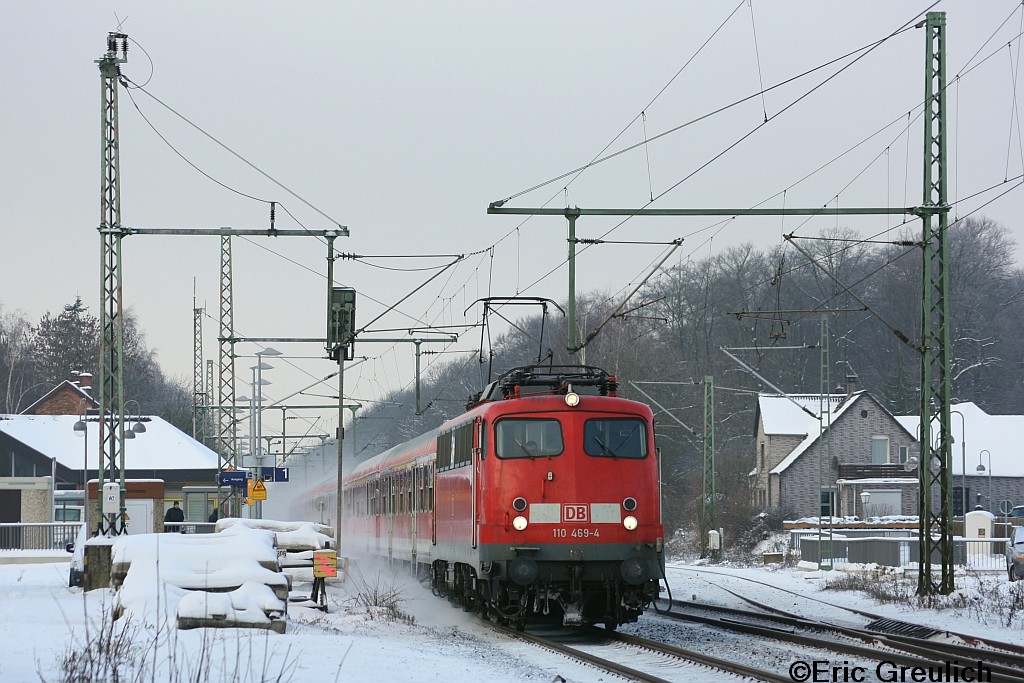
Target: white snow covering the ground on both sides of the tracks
x: 41, y: 619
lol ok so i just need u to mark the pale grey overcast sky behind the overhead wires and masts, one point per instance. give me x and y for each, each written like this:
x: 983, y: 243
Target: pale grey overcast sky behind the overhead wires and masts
x: 405, y: 120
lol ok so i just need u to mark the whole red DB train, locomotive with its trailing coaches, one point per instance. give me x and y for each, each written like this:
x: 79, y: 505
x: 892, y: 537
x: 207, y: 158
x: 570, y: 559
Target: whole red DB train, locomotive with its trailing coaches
x: 543, y: 498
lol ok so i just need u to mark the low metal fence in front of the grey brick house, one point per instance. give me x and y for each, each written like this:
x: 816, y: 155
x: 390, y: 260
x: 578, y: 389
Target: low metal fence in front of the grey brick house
x: 901, y: 551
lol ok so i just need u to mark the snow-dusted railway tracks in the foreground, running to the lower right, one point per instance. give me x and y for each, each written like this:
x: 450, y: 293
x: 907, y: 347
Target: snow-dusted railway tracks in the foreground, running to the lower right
x: 784, y: 644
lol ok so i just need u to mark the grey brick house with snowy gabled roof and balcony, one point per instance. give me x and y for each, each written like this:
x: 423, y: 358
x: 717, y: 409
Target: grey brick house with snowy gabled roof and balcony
x: 802, y: 472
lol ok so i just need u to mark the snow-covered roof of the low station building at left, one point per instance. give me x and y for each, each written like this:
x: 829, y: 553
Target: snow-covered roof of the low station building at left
x: 162, y: 447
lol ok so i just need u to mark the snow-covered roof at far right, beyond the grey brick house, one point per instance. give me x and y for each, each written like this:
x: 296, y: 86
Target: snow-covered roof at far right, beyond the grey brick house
x: 979, y: 432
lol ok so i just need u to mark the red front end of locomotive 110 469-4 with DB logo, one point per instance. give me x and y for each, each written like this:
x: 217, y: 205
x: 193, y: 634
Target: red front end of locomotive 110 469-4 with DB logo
x: 569, y: 502
